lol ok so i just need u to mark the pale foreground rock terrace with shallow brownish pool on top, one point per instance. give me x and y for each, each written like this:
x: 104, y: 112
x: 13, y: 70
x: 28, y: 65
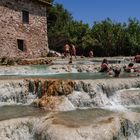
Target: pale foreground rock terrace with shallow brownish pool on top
x: 95, y: 124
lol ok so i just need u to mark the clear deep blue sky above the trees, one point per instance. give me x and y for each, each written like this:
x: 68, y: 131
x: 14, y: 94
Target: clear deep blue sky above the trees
x: 90, y: 11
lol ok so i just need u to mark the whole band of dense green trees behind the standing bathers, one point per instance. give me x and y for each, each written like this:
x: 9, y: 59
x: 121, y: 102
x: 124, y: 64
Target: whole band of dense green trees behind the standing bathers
x: 105, y: 38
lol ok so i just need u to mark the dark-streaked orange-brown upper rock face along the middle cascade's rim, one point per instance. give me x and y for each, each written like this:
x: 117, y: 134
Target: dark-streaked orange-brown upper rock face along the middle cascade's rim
x: 51, y: 87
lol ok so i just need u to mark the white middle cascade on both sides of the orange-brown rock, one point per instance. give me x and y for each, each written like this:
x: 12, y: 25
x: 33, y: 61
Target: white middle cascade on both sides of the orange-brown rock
x: 86, y: 93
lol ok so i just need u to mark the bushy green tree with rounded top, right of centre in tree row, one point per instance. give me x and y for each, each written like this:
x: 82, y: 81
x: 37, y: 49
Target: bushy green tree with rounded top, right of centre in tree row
x: 110, y: 35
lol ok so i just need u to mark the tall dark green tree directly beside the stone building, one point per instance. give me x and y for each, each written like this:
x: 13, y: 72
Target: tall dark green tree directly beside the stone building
x: 58, y: 26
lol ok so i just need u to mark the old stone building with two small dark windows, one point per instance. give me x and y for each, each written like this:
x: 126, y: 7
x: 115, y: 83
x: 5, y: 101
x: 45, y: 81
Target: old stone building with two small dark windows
x: 23, y: 28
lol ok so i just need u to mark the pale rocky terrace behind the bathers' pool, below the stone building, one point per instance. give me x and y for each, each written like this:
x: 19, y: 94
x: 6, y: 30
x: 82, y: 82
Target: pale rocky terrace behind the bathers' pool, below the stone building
x: 61, y: 66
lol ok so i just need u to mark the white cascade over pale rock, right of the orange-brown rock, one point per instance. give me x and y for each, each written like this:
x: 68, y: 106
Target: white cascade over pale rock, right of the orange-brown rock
x: 106, y: 93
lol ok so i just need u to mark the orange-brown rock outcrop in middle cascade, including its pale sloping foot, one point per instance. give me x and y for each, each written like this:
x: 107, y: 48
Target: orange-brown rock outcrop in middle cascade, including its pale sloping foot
x: 54, y: 94
